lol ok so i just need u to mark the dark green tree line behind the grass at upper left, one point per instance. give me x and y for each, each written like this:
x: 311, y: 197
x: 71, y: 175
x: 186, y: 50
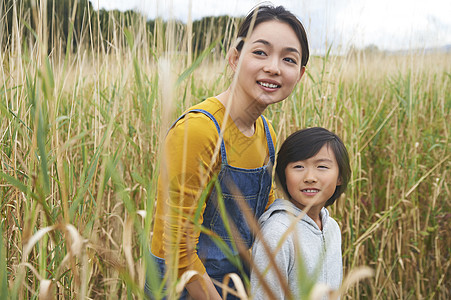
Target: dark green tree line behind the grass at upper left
x: 91, y: 28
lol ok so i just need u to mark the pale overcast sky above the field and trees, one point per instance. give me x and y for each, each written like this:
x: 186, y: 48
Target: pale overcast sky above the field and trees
x: 388, y: 24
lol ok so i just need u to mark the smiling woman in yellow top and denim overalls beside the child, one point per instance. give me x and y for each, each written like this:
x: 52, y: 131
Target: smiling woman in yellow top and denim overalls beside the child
x: 268, y: 62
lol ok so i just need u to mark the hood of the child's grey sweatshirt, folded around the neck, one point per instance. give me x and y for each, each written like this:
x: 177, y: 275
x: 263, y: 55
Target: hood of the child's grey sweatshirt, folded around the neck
x: 285, y: 206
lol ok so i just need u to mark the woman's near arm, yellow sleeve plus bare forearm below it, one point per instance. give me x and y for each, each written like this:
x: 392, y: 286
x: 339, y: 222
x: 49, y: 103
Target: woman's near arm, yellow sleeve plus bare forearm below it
x: 188, y: 172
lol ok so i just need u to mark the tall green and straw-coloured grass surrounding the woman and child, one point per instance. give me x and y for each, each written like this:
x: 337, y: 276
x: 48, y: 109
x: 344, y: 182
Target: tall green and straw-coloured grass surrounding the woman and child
x: 80, y: 137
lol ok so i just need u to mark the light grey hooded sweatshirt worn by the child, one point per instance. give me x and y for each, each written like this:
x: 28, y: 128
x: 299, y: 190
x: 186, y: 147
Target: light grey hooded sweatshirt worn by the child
x: 319, y: 251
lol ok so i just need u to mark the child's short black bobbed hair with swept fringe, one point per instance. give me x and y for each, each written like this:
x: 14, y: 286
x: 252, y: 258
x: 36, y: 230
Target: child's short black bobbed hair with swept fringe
x: 306, y: 143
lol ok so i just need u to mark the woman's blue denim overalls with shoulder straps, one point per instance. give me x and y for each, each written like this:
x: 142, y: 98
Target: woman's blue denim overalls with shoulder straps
x: 253, y: 186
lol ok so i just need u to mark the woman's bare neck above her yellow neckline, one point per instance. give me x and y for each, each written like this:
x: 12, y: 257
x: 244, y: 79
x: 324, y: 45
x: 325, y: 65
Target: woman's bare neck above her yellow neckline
x: 243, y: 113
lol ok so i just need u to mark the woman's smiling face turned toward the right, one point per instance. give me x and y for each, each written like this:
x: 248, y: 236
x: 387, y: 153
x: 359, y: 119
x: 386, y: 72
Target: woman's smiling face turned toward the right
x: 271, y: 63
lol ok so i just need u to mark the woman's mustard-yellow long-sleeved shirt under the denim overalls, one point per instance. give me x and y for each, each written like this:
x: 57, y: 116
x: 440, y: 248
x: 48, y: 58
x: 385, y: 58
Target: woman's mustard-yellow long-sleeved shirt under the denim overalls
x: 185, y: 171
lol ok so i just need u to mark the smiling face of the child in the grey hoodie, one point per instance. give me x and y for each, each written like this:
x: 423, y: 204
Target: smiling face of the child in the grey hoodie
x: 313, y: 181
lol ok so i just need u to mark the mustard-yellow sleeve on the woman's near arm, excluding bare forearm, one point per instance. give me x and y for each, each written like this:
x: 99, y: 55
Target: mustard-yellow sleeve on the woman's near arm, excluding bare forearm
x: 184, y: 173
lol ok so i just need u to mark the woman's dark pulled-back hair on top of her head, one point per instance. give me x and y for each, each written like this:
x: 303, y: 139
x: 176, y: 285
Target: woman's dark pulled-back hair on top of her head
x: 269, y: 13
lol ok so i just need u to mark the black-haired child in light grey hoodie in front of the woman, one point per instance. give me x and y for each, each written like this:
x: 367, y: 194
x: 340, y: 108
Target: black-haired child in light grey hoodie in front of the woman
x: 313, y: 170
